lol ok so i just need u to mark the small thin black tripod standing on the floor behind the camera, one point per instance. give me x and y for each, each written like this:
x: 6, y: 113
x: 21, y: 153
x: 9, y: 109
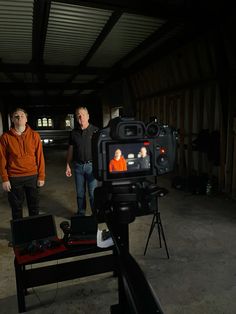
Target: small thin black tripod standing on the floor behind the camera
x: 156, y: 220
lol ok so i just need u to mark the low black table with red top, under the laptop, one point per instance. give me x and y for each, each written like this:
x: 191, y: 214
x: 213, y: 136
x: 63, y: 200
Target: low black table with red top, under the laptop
x: 65, y: 270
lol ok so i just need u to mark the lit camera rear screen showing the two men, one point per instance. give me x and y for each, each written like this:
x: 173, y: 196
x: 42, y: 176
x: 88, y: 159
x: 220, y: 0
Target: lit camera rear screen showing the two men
x: 129, y: 160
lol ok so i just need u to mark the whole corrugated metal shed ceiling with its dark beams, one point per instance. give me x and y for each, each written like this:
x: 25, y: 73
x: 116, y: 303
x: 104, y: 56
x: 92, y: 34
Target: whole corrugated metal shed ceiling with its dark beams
x: 60, y: 46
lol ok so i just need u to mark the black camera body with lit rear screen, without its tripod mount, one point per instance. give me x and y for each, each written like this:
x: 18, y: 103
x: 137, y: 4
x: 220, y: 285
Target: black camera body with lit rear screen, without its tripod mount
x: 131, y: 137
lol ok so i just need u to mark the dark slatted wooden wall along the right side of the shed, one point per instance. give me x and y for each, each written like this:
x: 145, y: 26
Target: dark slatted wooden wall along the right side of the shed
x: 185, y: 91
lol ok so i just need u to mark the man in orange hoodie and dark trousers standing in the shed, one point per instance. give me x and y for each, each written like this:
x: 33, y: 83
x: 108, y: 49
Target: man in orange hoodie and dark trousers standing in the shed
x: 22, y: 166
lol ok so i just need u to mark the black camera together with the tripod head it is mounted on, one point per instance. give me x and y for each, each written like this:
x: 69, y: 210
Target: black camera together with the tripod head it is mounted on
x: 125, y: 154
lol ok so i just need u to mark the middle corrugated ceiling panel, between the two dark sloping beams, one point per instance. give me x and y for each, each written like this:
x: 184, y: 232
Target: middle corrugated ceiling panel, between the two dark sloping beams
x: 71, y: 32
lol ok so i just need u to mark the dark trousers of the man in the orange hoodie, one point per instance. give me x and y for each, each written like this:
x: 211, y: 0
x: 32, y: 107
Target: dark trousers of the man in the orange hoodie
x: 22, y: 187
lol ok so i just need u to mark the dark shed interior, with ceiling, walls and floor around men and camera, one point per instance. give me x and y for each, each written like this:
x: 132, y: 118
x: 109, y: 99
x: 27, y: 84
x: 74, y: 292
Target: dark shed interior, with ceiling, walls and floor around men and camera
x: 172, y: 60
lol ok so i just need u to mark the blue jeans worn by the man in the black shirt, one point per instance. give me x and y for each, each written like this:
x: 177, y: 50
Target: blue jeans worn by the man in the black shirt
x: 83, y: 175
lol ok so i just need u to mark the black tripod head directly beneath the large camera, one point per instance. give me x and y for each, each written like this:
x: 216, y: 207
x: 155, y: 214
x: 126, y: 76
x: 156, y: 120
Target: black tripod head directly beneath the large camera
x: 126, y: 200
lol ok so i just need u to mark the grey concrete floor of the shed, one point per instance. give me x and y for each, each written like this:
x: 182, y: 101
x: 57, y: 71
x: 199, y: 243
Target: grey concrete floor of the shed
x: 199, y: 277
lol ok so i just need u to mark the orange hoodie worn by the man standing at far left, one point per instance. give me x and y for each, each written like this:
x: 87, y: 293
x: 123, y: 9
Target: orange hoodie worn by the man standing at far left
x: 21, y: 155
